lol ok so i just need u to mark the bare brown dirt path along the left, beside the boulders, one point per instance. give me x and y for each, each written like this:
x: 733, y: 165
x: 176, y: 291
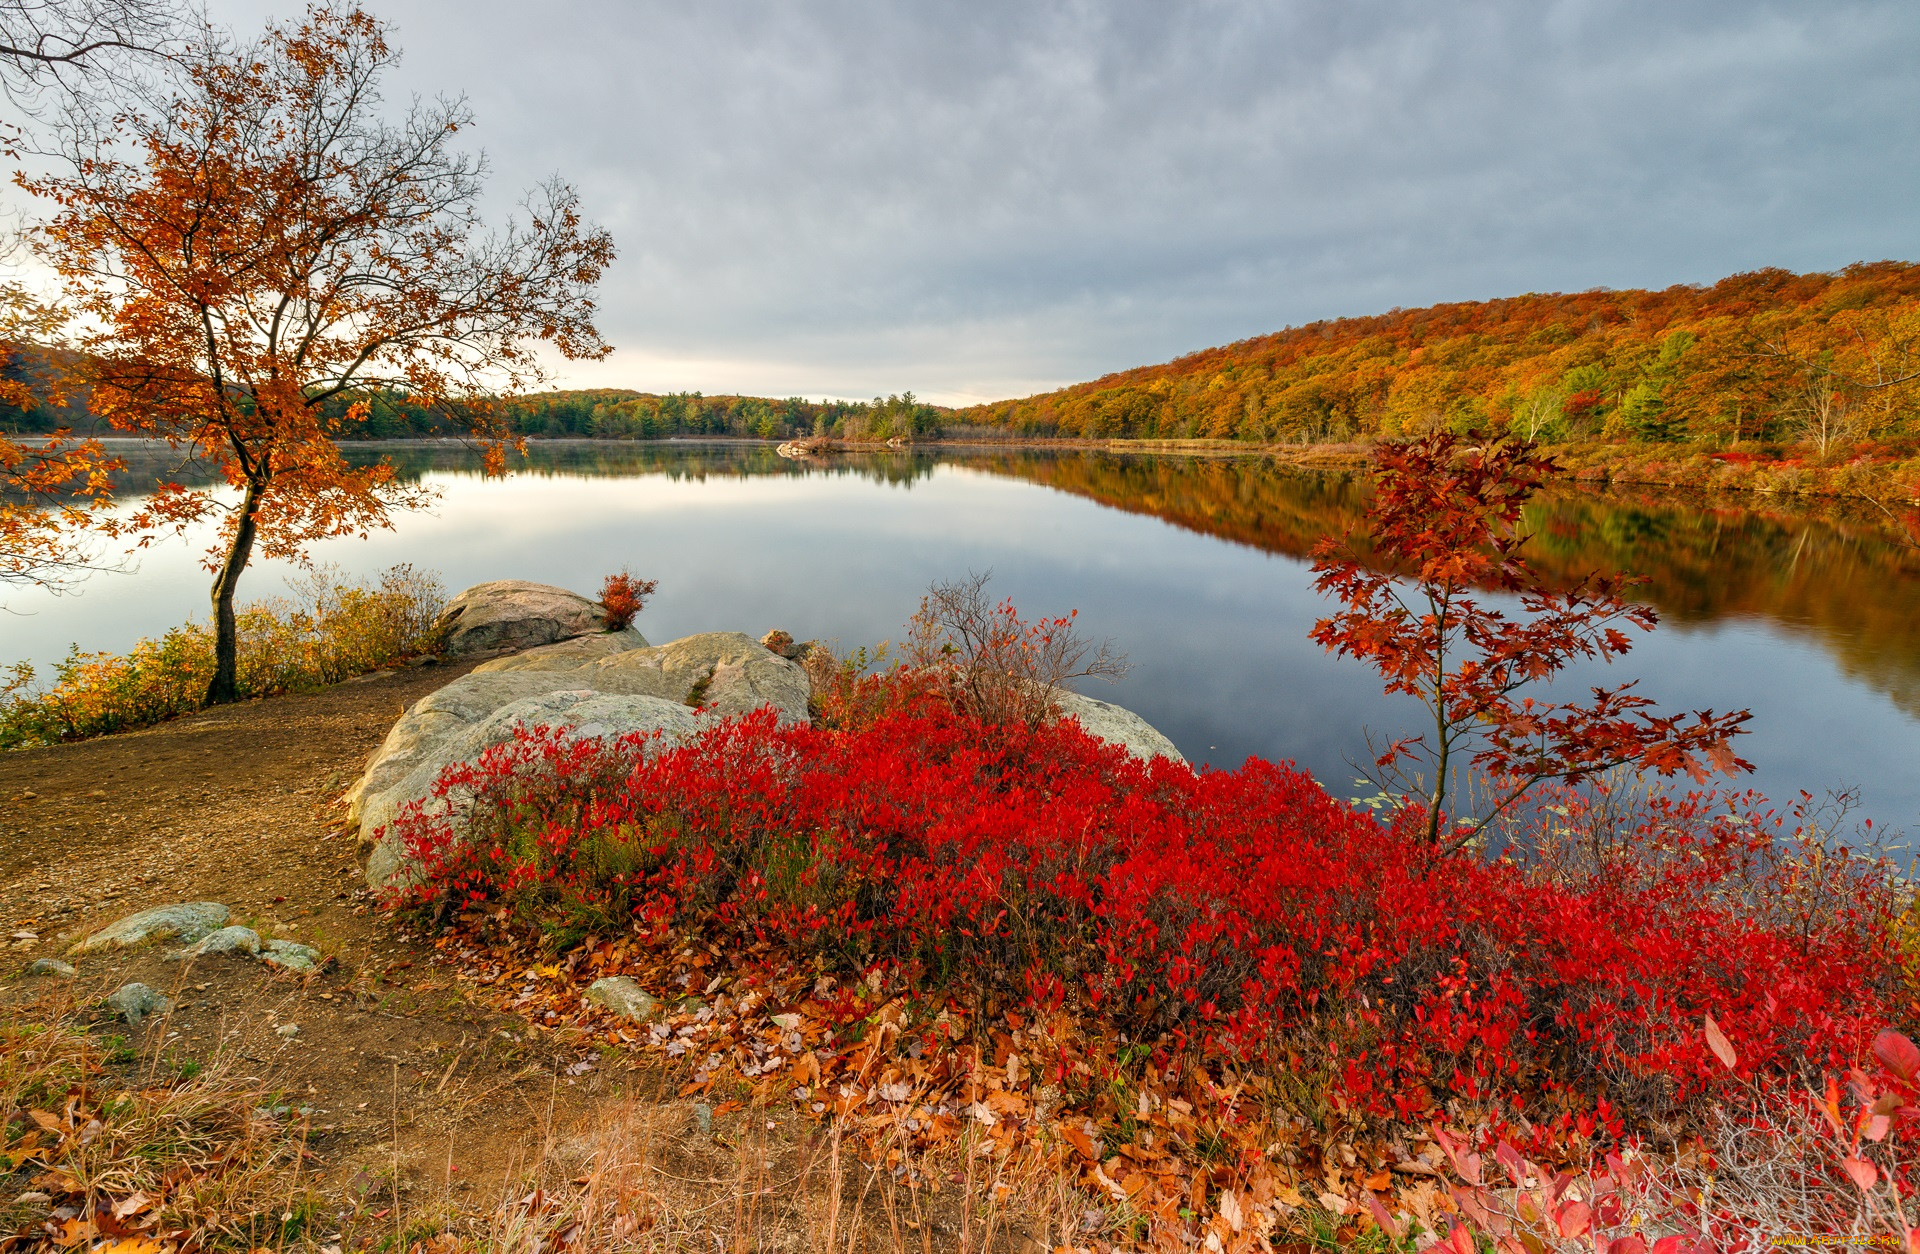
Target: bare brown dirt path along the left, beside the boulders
x: 404, y: 1069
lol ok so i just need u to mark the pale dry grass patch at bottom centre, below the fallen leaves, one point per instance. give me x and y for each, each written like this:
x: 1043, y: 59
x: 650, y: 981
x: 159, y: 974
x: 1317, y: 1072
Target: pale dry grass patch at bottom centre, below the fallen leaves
x: 650, y: 1176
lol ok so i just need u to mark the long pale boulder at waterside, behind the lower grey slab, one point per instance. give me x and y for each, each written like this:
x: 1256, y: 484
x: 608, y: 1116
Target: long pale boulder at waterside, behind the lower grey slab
x: 721, y: 669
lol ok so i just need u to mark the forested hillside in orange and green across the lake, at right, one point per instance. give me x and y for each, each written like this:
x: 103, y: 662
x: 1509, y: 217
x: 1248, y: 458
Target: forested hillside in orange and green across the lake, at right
x: 1773, y: 358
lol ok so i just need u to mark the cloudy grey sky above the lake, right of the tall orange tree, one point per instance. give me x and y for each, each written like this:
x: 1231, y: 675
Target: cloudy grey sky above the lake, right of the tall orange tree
x: 984, y: 199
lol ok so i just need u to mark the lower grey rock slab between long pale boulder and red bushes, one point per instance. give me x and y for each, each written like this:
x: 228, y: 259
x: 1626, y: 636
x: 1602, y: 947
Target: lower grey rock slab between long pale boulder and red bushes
x: 587, y: 715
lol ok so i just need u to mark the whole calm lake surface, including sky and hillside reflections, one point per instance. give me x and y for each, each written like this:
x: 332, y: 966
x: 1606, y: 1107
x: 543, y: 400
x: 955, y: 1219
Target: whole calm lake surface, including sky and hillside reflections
x: 1195, y: 566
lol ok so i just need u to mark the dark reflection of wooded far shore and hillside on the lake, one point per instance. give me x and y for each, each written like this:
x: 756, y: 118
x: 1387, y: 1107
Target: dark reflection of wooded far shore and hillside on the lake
x: 1815, y: 569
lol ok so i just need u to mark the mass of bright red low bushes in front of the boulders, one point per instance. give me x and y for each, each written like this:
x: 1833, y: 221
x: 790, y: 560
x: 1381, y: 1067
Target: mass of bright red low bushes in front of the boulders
x: 1226, y: 917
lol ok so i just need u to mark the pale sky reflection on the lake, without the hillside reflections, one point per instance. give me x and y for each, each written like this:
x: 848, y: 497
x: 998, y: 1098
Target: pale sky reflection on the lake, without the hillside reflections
x: 1218, y: 633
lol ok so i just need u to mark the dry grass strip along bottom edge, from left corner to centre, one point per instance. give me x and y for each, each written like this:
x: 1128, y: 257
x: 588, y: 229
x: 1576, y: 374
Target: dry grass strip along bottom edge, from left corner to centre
x: 112, y: 1149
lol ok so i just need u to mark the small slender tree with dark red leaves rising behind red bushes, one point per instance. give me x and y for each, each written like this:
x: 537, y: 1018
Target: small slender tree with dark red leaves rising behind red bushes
x: 1443, y: 533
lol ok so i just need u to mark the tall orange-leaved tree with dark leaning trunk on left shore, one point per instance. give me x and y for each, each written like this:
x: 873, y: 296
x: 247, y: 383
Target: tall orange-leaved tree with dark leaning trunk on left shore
x: 272, y: 239
